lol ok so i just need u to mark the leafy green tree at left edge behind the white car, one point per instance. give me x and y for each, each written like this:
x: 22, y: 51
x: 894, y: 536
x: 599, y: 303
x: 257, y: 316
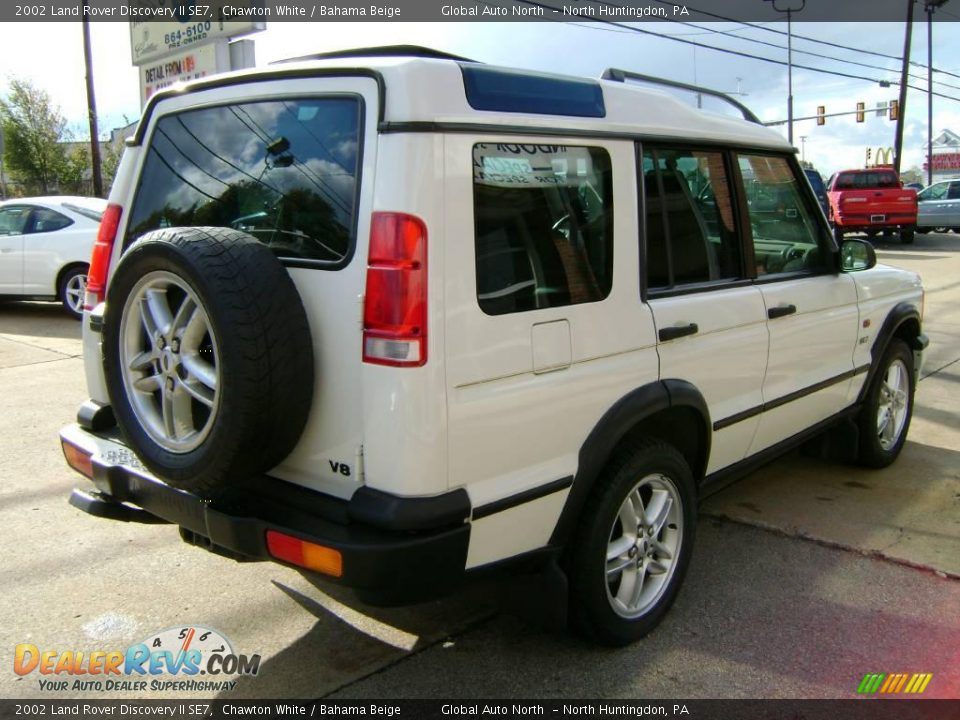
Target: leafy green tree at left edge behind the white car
x: 33, y: 129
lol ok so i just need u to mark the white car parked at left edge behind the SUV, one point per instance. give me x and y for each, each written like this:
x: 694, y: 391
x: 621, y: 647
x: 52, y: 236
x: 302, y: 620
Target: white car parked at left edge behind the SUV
x: 45, y: 247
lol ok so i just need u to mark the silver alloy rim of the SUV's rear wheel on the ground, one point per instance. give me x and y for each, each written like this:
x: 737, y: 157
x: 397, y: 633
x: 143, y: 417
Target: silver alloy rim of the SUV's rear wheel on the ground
x: 644, y: 545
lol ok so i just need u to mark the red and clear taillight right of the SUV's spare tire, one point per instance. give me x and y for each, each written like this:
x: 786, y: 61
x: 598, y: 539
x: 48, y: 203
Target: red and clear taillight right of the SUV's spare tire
x: 395, y: 304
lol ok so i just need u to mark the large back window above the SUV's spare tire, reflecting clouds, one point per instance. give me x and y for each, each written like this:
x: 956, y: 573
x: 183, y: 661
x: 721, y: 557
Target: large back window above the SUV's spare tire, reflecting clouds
x: 284, y: 171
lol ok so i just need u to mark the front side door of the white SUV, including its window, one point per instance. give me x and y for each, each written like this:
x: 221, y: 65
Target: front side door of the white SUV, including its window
x: 811, y: 310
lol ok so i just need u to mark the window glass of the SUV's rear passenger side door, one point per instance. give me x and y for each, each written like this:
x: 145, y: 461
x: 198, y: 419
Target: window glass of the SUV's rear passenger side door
x: 691, y: 231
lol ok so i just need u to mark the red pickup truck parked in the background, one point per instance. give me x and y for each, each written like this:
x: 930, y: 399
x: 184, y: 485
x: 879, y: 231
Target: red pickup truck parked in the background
x: 871, y: 201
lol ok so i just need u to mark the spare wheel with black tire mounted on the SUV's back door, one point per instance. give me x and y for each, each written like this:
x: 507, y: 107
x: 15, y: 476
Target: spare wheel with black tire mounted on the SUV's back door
x: 207, y: 357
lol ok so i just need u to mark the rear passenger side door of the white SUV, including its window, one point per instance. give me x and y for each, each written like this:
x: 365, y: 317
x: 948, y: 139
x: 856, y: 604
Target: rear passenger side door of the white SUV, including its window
x: 710, y: 319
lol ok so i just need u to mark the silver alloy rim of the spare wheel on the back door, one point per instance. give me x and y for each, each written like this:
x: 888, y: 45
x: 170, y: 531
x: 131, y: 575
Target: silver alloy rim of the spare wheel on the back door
x: 170, y: 362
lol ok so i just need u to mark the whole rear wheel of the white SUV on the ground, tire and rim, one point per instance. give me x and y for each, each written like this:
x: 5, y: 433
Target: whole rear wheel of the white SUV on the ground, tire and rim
x: 631, y: 551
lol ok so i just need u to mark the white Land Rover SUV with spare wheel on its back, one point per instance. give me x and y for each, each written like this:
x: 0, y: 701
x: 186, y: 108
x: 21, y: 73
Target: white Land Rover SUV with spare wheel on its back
x: 393, y: 318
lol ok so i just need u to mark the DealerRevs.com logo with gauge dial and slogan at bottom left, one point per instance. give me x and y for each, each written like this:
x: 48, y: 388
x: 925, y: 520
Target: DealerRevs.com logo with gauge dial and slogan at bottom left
x: 192, y: 658
